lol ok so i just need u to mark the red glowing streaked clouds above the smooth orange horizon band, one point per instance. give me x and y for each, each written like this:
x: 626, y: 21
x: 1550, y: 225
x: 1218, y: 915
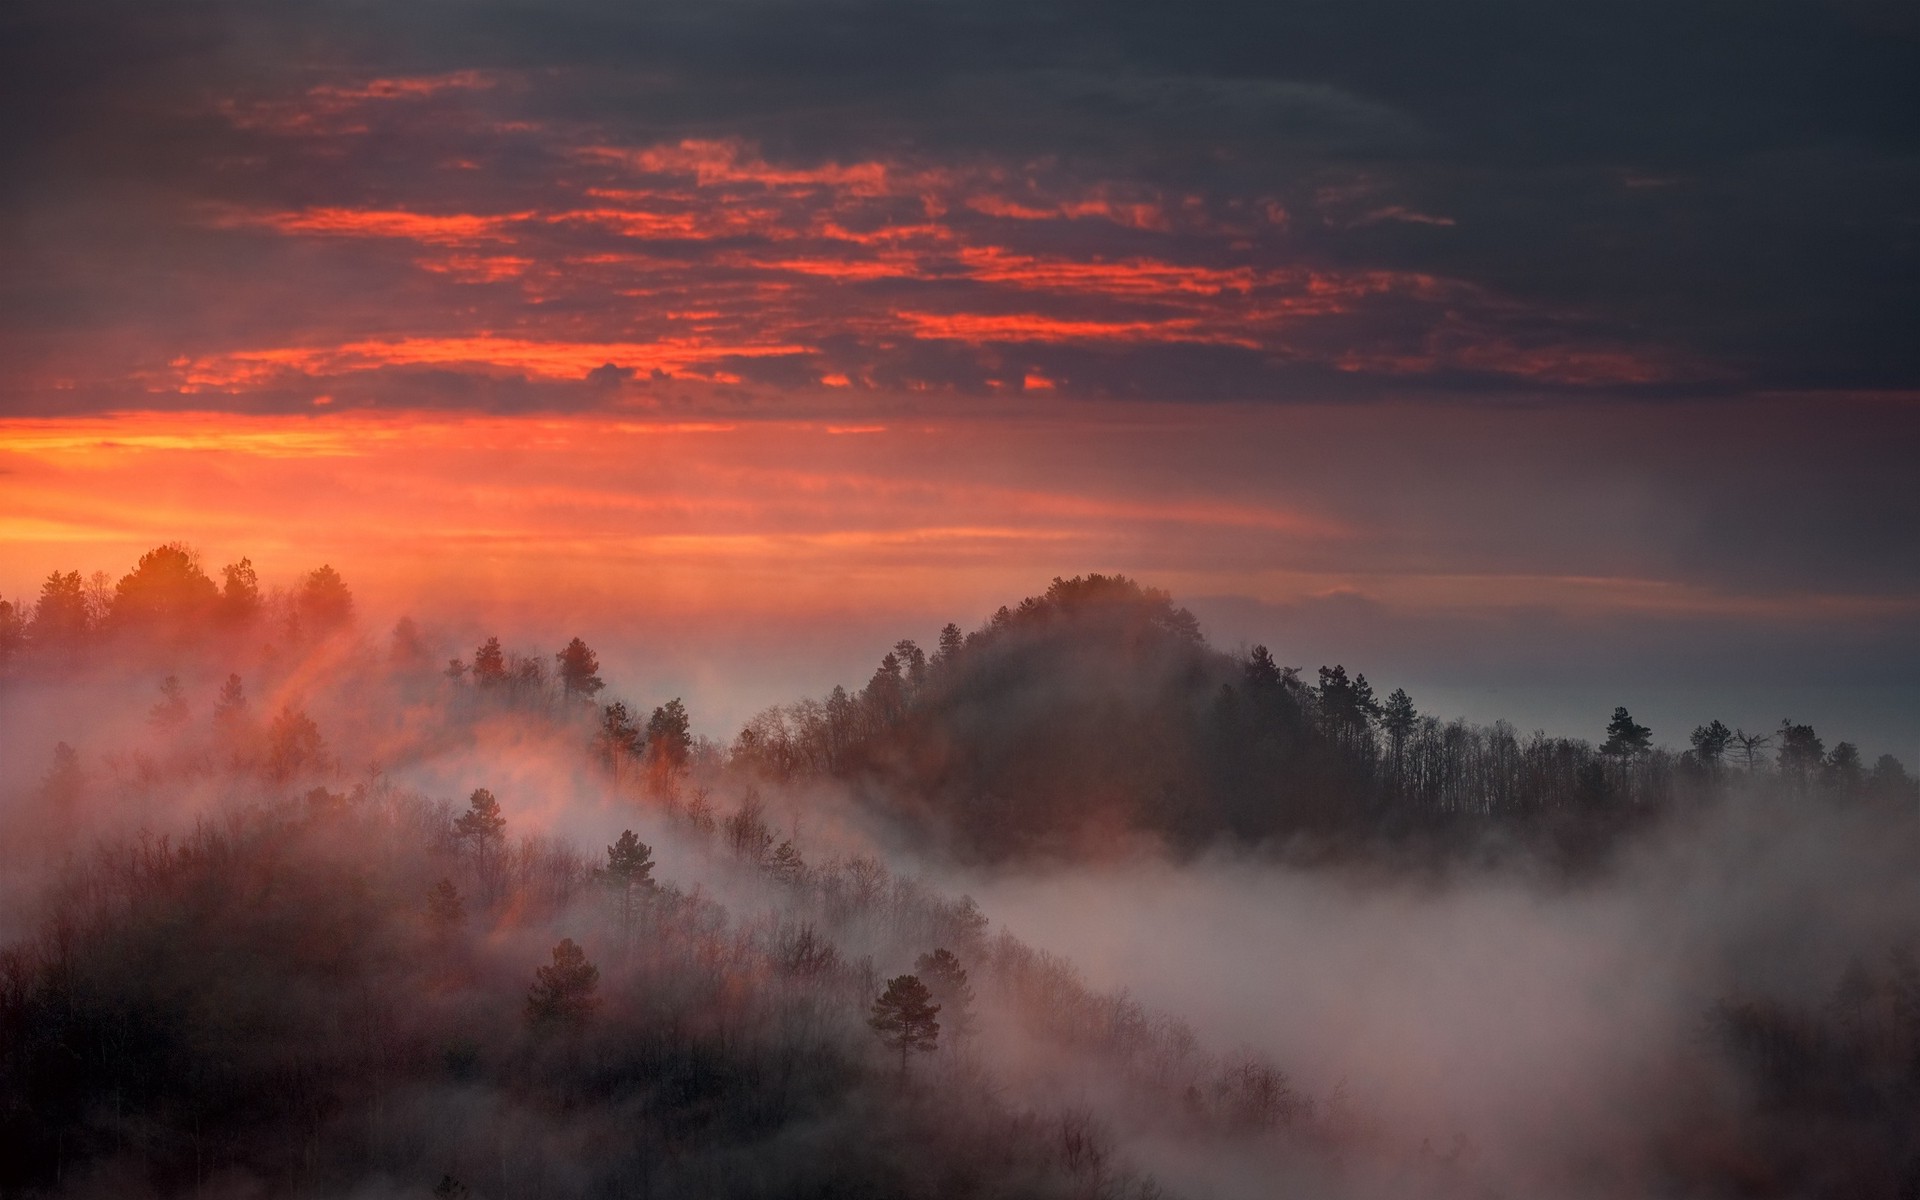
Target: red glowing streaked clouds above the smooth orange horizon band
x: 702, y: 260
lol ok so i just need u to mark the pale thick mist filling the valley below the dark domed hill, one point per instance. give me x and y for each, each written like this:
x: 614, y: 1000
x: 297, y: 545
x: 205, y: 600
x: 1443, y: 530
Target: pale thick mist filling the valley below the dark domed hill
x: 1568, y: 1036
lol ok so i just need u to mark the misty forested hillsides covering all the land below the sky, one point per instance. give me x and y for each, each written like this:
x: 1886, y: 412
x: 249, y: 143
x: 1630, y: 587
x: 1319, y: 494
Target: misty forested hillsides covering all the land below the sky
x: 299, y: 905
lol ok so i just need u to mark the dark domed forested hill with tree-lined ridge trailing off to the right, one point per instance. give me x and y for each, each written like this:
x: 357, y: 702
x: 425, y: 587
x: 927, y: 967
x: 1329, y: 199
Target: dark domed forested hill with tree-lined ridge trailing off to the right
x: 1097, y: 711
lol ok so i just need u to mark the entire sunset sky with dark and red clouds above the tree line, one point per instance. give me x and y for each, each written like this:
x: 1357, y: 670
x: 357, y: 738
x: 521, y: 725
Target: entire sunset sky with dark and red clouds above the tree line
x: 1533, y: 356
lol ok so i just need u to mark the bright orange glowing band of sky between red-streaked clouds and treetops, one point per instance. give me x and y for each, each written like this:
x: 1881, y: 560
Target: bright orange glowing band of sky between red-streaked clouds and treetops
x: 742, y: 517
